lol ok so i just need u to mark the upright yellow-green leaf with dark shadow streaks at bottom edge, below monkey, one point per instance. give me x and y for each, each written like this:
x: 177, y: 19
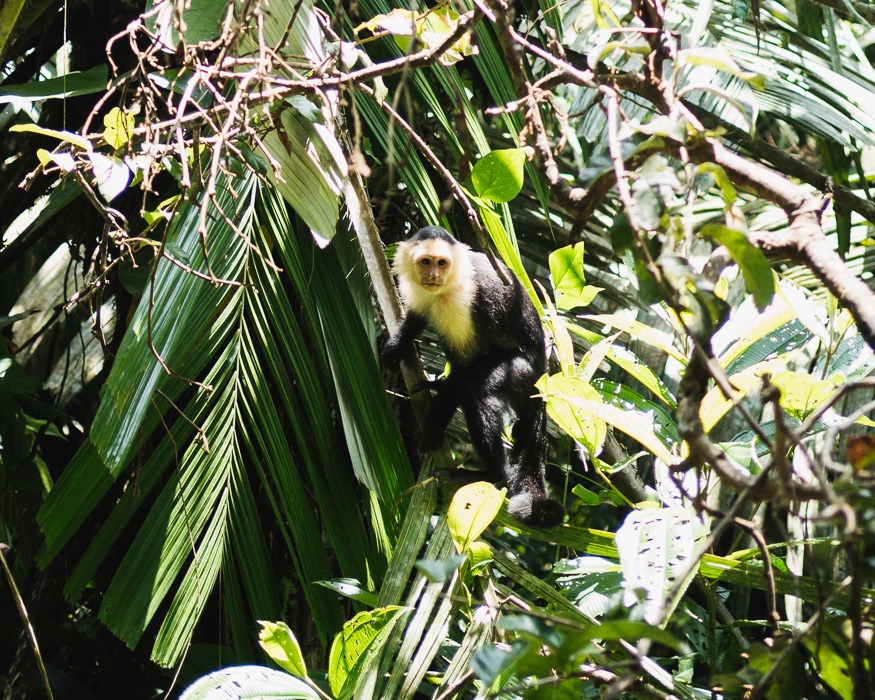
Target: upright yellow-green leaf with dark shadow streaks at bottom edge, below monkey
x: 351, y: 647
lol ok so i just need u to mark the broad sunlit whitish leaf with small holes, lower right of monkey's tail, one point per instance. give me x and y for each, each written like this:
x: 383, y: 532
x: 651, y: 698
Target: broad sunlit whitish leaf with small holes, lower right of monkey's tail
x: 656, y: 550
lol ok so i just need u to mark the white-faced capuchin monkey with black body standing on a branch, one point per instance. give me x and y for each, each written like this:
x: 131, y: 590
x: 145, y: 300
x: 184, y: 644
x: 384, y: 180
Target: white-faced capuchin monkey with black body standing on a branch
x: 494, y: 341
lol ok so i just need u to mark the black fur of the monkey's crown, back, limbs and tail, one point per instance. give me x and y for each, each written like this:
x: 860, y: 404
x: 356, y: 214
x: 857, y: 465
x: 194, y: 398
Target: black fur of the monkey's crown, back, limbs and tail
x: 497, y: 374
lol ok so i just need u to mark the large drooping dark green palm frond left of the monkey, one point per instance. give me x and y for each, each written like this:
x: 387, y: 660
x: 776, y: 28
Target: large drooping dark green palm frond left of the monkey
x: 266, y: 368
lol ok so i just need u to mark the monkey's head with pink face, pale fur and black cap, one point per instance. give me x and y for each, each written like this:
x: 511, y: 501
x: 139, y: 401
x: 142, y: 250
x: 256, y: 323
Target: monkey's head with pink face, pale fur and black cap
x: 428, y: 259
